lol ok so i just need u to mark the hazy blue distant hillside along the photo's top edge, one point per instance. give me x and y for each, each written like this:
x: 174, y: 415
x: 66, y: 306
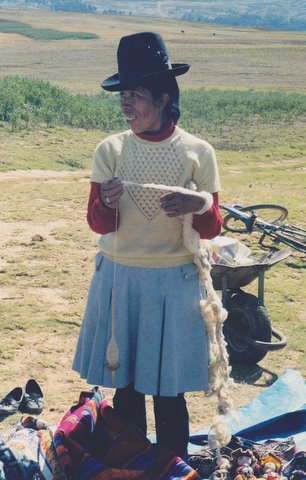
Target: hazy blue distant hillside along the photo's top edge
x: 286, y: 15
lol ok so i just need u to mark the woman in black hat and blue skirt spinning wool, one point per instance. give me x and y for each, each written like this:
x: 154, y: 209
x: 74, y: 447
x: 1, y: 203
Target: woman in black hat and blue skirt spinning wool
x: 145, y: 292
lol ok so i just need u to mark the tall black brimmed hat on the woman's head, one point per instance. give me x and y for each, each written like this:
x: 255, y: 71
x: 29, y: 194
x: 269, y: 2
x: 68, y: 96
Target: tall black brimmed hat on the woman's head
x: 140, y: 57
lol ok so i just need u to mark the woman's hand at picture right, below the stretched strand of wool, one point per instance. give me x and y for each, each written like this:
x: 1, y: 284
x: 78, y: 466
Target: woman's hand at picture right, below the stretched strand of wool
x: 182, y: 202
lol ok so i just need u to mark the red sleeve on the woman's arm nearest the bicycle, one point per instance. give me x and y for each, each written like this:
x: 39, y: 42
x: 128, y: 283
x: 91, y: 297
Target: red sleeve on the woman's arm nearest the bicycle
x: 208, y: 225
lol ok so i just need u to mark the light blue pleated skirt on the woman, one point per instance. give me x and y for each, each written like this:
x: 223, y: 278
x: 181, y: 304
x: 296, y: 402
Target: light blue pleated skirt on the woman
x: 159, y: 329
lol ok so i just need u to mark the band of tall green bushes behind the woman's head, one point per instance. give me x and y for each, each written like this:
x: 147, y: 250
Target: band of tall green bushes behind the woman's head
x: 25, y: 102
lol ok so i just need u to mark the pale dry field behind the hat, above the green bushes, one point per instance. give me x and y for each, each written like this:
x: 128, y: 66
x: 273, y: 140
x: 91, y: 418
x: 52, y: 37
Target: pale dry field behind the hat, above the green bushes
x: 221, y: 57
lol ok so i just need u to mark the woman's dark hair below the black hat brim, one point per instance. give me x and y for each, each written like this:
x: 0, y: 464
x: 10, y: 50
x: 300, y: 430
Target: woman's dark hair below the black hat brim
x: 165, y: 84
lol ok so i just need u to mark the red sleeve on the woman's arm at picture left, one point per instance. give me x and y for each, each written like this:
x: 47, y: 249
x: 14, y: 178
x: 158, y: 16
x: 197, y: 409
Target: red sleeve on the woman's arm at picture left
x: 101, y: 219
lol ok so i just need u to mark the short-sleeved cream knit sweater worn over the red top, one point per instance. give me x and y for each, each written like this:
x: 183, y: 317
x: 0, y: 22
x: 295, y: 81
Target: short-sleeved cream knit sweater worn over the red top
x: 146, y: 236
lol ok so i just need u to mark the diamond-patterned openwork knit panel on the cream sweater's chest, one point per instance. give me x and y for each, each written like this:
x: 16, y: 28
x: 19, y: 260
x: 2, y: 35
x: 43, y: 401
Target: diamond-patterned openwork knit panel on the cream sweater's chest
x: 150, y: 164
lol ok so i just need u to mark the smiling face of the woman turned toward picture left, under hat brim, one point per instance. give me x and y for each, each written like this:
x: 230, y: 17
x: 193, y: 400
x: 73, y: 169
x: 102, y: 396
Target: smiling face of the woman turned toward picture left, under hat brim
x: 141, y: 111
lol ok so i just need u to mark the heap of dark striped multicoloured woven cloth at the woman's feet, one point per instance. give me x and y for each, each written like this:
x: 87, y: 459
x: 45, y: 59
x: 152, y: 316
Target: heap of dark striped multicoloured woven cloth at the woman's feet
x: 92, y: 442
